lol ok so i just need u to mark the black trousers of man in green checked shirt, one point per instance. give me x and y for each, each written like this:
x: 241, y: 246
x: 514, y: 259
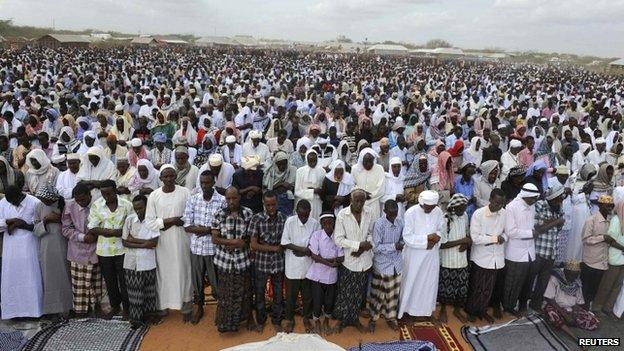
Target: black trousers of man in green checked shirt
x: 113, y: 273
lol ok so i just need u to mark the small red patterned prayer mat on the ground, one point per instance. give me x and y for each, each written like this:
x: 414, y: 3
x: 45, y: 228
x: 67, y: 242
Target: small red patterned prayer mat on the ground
x: 442, y: 337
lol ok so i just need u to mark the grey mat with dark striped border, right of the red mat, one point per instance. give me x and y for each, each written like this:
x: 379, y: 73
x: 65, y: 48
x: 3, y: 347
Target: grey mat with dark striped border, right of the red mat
x: 527, y: 333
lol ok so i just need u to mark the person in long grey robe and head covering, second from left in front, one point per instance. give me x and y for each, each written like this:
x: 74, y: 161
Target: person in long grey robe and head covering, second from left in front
x: 57, y: 288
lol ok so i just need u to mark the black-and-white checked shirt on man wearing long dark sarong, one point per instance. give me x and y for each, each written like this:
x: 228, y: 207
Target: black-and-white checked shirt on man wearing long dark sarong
x: 229, y: 259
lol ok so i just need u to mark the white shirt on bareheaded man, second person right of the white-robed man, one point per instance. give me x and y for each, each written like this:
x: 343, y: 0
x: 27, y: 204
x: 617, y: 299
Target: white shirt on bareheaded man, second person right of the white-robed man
x: 485, y: 227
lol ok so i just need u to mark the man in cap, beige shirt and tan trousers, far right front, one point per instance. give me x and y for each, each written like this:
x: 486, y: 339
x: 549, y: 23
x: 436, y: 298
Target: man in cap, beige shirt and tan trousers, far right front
x: 596, y: 241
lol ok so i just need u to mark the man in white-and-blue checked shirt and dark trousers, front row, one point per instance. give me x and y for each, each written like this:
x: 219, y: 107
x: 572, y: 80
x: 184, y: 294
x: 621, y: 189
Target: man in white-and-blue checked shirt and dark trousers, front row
x: 199, y: 212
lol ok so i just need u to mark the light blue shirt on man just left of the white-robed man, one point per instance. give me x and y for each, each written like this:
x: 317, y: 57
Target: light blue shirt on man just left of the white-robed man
x: 386, y: 235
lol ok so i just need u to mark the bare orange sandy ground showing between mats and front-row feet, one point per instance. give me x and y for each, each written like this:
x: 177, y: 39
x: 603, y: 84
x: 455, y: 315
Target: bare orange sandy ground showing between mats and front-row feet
x: 173, y: 334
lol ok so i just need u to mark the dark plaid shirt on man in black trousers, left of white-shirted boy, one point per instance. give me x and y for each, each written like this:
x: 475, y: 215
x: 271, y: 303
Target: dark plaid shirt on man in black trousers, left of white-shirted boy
x: 269, y: 232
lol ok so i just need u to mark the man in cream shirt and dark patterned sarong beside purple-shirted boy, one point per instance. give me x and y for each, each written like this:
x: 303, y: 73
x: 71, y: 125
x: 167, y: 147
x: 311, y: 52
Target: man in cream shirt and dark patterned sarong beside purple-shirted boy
x: 354, y: 234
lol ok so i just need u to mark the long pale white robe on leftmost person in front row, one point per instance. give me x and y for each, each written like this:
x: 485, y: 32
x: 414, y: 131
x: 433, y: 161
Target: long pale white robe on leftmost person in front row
x: 22, y: 288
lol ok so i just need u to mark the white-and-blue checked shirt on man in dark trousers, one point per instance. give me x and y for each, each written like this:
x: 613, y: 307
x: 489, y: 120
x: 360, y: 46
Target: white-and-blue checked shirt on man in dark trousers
x: 199, y: 212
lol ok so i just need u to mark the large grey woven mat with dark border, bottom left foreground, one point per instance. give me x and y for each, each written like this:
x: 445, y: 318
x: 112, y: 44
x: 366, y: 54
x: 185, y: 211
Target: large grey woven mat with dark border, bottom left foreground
x: 87, y: 335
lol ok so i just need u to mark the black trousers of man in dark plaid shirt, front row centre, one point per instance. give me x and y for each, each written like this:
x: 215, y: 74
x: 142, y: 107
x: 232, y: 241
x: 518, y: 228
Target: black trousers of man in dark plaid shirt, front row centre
x: 277, y: 281
